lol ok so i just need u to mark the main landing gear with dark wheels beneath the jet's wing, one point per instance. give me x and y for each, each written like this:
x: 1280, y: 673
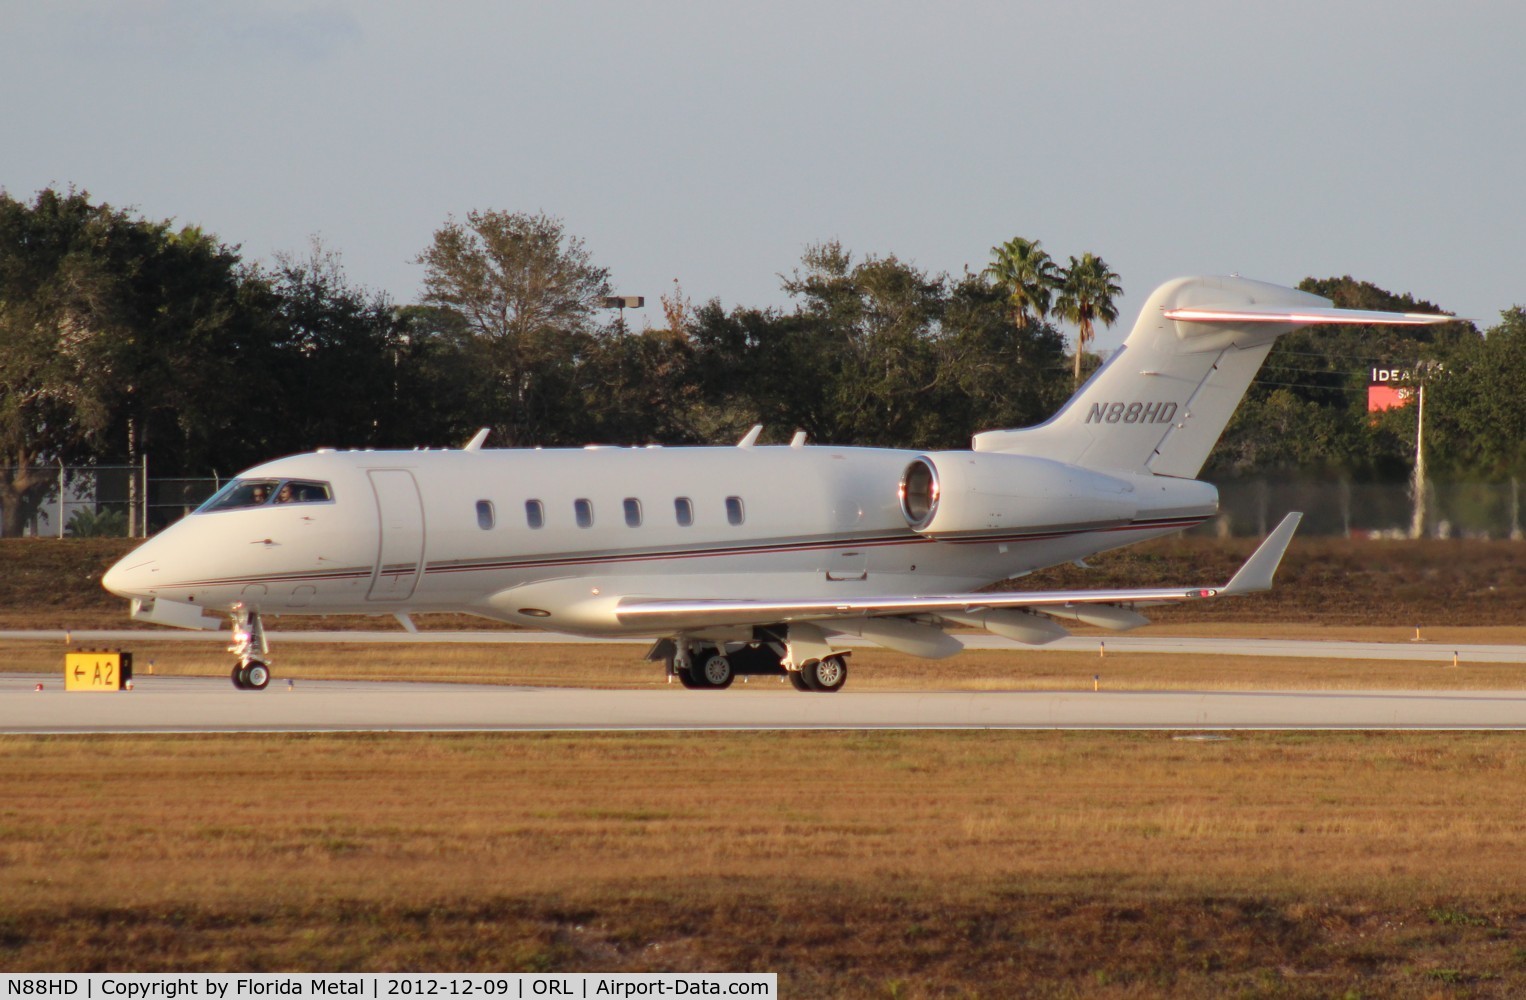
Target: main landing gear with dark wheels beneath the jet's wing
x: 709, y: 666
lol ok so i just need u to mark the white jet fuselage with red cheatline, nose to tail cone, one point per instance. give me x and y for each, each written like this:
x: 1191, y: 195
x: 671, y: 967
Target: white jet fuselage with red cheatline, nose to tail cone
x: 558, y: 538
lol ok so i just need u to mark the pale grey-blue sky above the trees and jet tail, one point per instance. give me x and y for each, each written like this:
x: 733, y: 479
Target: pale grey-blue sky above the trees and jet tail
x: 713, y: 143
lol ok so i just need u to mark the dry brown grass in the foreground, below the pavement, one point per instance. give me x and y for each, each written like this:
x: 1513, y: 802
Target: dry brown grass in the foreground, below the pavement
x: 974, y: 865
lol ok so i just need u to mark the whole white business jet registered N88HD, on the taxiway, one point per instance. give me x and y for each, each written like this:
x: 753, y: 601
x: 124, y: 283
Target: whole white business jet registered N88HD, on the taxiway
x: 752, y: 560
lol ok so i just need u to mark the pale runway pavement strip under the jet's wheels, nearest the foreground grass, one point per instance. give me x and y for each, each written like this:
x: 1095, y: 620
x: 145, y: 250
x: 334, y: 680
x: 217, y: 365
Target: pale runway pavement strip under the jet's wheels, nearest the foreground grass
x: 161, y: 705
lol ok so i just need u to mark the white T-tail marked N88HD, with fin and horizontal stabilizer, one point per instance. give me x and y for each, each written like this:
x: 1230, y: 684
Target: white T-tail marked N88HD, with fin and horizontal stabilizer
x: 1164, y: 399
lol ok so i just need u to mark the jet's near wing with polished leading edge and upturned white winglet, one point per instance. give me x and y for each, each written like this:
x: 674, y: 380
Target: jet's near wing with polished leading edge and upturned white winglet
x: 1109, y: 608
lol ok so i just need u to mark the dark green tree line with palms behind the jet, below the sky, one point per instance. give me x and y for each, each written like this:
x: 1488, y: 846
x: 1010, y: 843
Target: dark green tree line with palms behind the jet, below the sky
x: 123, y: 337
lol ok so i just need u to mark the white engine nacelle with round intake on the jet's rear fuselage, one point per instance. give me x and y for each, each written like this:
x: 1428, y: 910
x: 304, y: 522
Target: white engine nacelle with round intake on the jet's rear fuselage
x: 980, y: 492
